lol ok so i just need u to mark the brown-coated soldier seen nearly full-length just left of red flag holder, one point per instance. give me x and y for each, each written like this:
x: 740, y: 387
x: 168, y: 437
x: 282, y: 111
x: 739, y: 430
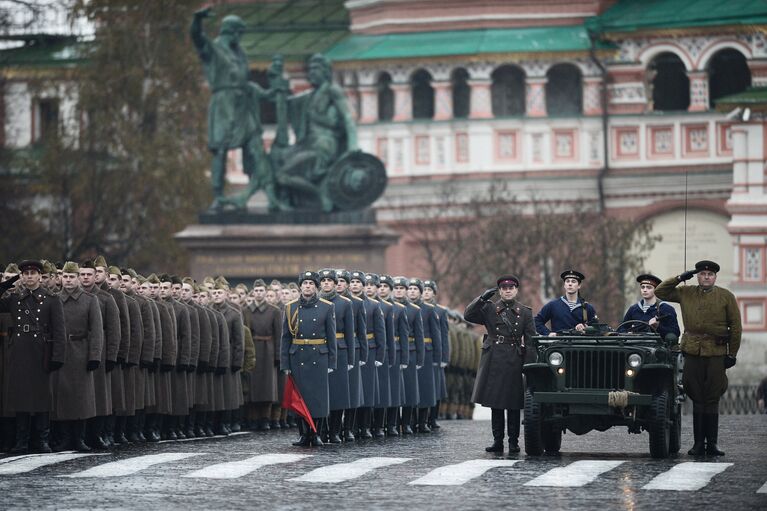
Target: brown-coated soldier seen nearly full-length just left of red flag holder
x: 265, y: 323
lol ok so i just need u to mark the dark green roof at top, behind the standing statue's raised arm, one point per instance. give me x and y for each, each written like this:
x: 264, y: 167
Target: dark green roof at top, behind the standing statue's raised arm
x: 294, y: 28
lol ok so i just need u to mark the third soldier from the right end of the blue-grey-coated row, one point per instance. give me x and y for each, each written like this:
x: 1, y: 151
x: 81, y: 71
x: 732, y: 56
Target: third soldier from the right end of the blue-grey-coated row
x: 415, y: 346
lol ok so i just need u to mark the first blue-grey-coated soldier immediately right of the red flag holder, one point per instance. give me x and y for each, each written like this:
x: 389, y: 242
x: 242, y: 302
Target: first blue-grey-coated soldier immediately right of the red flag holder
x: 338, y: 380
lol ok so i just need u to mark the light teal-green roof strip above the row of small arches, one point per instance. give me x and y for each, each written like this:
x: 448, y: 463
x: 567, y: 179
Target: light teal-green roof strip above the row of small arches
x: 461, y: 42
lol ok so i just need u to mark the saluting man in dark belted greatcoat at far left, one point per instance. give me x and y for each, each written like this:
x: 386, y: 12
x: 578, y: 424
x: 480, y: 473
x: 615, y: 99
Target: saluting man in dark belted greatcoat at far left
x: 36, y: 347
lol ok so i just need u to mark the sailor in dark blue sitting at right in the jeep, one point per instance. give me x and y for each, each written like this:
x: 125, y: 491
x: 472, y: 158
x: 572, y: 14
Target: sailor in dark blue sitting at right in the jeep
x: 660, y: 315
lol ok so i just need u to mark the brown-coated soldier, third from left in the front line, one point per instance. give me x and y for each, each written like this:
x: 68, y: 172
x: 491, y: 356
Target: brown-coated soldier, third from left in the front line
x: 110, y: 317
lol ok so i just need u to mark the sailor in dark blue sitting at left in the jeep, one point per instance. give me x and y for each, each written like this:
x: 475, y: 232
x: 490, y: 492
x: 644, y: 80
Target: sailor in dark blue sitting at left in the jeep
x: 569, y: 311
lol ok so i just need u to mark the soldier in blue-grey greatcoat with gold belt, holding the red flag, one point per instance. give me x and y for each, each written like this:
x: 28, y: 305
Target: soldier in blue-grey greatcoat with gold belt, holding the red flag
x: 308, y: 351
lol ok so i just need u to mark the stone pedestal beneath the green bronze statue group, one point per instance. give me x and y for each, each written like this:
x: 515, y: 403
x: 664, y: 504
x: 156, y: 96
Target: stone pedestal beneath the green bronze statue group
x: 246, y: 246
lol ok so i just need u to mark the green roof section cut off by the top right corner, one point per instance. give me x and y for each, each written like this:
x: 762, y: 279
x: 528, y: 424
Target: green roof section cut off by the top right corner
x: 638, y: 15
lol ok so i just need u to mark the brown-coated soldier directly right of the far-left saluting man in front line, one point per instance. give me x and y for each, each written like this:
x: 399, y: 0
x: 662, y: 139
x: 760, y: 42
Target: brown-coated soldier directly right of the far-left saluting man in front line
x: 73, y: 385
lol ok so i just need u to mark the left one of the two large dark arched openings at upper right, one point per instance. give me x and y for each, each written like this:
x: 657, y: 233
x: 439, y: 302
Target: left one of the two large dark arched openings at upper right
x: 670, y: 85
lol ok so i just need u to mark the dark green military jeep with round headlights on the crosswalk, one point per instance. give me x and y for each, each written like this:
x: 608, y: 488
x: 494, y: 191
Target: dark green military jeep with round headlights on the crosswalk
x: 599, y: 379
